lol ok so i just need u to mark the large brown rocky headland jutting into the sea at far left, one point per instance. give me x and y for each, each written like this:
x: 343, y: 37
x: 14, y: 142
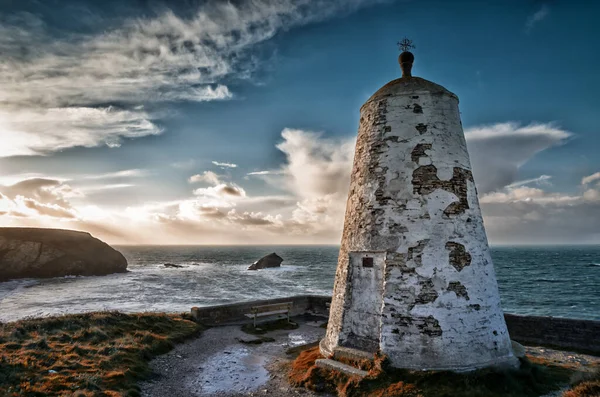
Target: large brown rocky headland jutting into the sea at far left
x: 33, y: 252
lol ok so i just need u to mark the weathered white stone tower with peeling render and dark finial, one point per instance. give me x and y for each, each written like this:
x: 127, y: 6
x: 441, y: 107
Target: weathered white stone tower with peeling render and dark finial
x: 415, y: 279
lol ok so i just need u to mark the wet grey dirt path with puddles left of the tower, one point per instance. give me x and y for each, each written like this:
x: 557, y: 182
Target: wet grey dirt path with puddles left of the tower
x: 217, y: 364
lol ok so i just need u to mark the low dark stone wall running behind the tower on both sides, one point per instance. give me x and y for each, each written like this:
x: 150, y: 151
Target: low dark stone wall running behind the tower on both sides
x: 562, y: 333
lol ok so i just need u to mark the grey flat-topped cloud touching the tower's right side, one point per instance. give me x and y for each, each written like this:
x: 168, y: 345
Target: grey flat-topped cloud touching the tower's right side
x: 497, y: 151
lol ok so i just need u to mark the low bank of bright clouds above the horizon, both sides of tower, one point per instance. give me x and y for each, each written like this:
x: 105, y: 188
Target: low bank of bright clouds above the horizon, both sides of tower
x: 314, y: 180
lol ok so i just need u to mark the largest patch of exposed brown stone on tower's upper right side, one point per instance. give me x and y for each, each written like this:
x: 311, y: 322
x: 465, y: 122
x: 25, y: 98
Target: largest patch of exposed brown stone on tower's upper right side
x: 426, y: 181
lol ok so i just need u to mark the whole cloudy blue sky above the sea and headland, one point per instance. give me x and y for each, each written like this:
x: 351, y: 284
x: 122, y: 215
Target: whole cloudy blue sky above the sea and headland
x: 234, y: 122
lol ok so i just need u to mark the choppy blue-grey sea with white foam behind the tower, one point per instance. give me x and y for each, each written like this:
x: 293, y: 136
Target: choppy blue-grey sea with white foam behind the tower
x: 559, y: 281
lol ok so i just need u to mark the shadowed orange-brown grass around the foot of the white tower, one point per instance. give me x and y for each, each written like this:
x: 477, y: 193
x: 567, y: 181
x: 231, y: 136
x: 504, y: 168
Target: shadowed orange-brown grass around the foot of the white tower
x: 532, y: 379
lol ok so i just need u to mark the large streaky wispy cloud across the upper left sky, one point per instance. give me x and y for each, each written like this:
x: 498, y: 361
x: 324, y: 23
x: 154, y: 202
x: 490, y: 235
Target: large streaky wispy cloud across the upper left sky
x: 61, y: 89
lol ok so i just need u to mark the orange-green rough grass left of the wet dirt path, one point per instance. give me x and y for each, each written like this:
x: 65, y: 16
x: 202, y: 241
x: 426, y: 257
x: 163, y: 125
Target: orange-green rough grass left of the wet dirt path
x: 92, y: 354
